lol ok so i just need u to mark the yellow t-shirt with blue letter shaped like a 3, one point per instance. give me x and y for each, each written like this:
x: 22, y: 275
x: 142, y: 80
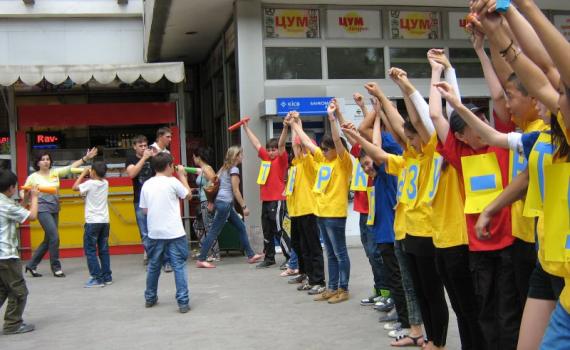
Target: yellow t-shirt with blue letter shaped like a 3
x: 418, y: 214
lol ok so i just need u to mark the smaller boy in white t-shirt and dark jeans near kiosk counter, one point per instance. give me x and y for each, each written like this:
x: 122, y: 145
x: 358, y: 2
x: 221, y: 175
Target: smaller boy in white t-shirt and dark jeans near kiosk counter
x: 96, y: 234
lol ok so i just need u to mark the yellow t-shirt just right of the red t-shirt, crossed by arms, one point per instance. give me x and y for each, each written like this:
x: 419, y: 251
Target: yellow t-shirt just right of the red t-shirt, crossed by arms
x: 522, y: 226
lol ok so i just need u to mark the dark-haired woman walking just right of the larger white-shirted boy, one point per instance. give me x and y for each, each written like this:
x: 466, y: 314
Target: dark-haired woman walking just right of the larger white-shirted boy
x: 202, y: 157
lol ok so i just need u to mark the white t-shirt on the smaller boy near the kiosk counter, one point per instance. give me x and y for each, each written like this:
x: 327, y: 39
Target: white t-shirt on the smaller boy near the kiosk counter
x: 96, y: 207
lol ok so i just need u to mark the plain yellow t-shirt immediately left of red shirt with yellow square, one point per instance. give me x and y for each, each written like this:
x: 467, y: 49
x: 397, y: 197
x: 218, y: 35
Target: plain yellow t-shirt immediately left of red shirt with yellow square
x: 450, y: 228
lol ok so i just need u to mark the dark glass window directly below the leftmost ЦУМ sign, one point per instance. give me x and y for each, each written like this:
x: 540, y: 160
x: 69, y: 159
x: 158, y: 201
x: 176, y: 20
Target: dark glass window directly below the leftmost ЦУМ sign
x: 293, y: 63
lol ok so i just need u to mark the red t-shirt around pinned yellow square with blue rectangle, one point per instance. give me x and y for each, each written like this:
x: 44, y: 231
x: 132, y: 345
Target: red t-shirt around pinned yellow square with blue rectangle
x: 500, y: 226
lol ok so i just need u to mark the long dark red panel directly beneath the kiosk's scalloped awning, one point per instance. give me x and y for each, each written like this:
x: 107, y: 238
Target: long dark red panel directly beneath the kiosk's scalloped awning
x: 97, y: 114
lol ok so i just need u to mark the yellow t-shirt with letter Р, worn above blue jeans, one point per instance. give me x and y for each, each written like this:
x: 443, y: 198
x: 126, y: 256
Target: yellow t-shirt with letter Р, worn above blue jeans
x: 332, y: 202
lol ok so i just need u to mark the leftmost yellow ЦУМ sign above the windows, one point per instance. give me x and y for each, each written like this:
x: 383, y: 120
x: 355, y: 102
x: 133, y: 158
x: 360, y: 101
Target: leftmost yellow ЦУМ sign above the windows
x: 291, y: 23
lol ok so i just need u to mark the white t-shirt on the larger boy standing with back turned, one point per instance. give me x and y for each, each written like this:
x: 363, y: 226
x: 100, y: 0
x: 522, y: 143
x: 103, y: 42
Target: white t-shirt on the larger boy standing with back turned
x: 161, y: 196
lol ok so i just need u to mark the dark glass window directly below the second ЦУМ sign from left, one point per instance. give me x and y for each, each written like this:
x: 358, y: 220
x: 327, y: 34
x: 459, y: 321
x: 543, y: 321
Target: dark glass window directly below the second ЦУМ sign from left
x: 355, y: 63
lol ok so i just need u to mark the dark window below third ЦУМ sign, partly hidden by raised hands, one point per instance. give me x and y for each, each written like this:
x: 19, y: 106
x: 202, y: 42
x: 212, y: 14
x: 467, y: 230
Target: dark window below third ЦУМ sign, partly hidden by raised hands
x: 412, y: 60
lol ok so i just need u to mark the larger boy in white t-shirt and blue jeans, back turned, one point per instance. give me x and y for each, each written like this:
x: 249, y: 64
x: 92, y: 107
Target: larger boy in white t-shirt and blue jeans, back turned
x: 160, y: 198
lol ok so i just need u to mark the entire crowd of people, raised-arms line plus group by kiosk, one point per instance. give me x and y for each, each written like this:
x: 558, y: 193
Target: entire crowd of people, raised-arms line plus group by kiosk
x: 463, y: 202
